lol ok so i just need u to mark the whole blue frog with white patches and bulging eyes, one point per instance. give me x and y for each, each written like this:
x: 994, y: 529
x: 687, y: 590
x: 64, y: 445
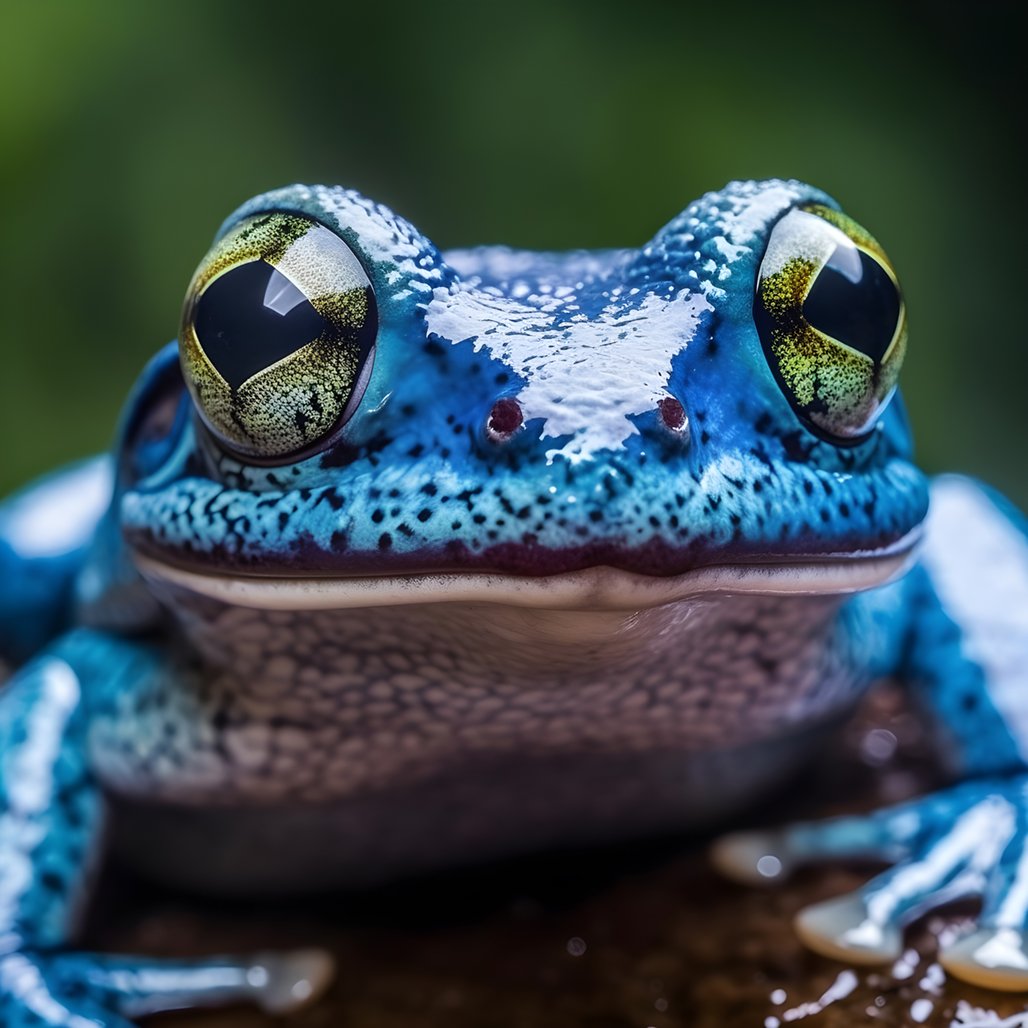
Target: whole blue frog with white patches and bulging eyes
x: 406, y: 560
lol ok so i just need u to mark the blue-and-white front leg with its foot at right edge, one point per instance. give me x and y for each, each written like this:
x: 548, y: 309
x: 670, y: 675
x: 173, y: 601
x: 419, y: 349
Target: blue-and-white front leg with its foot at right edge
x: 963, y: 647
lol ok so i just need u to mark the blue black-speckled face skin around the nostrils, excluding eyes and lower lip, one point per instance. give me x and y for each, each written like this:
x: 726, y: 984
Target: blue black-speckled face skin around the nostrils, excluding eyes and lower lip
x: 361, y: 506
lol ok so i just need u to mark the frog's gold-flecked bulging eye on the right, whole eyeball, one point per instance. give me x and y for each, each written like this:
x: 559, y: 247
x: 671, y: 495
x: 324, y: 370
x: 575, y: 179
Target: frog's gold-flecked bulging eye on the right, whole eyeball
x: 832, y: 320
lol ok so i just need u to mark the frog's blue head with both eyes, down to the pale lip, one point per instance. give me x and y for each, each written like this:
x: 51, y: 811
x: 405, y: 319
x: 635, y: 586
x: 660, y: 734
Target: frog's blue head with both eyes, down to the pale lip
x: 351, y: 417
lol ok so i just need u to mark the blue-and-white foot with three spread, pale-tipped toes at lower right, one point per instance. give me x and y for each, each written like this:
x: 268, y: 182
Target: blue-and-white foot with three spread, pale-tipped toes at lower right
x: 972, y: 840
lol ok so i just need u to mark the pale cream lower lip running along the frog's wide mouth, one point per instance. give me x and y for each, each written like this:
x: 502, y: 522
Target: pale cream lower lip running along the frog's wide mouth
x: 592, y: 589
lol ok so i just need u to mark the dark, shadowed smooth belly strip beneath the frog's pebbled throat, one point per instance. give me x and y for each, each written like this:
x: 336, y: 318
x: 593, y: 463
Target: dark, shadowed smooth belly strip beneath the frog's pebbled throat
x: 493, y: 809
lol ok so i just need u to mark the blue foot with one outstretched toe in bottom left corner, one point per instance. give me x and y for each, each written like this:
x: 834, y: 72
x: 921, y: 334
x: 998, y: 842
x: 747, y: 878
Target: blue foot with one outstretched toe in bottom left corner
x: 86, y: 990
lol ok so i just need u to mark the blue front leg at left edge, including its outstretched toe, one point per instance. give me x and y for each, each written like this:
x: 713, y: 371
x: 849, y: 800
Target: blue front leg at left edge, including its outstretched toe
x: 52, y: 821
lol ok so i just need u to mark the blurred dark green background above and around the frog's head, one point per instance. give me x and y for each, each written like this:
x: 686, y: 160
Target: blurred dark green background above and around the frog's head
x: 129, y: 130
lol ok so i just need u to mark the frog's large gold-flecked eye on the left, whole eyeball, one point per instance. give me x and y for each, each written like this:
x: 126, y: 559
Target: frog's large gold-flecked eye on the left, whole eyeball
x: 277, y: 336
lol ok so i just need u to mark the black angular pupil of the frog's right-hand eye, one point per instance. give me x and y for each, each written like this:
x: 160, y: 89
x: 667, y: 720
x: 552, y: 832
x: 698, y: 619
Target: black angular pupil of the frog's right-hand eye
x: 855, y: 301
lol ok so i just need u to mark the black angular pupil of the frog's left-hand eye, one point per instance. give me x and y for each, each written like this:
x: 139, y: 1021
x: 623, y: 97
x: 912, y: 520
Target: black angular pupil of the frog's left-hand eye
x: 252, y: 317
